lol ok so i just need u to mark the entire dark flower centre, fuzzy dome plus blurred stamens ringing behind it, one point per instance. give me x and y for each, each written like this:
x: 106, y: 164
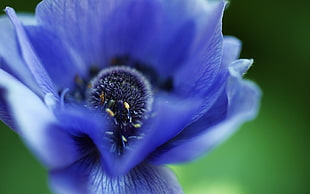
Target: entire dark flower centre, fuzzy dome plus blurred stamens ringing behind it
x: 122, y: 94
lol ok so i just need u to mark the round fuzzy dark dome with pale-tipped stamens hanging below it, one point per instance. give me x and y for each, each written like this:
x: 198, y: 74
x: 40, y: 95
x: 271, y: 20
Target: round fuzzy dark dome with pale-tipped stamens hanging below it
x: 125, y: 96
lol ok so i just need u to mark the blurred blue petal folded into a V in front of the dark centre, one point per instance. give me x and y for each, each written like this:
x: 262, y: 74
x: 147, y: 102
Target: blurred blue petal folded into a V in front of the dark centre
x: 171, y: 115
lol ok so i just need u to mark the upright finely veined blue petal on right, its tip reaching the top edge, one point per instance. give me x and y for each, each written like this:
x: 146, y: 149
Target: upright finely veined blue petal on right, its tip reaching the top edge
x: 204, y: 75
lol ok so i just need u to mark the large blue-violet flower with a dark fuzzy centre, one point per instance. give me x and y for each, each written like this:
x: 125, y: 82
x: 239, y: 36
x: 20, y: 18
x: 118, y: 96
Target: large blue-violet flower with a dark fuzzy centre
x: 105, y: 92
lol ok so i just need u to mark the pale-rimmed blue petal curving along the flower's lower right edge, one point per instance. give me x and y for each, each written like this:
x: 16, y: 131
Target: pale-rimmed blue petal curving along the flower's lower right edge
x: 243, y: 104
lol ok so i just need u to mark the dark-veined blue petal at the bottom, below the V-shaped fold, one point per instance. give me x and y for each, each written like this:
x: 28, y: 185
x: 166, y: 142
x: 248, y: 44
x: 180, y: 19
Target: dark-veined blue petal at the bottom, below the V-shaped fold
x: 91, y: 179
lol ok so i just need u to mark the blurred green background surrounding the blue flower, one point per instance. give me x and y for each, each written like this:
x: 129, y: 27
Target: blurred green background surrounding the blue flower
x: 269, y: 155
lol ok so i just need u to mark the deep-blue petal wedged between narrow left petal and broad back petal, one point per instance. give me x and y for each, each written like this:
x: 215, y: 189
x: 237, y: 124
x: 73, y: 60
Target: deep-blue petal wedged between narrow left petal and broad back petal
x: 61, y: 63
